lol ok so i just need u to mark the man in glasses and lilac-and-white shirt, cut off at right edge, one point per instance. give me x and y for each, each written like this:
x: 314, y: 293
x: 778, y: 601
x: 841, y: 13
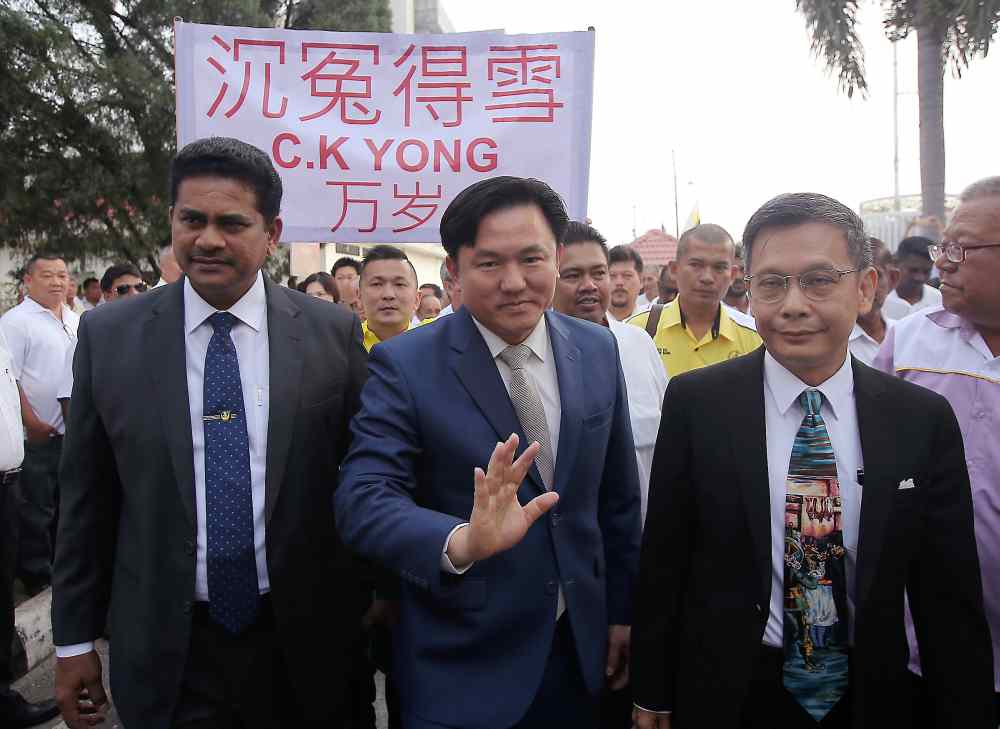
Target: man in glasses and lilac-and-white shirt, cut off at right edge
x: 955, y: 350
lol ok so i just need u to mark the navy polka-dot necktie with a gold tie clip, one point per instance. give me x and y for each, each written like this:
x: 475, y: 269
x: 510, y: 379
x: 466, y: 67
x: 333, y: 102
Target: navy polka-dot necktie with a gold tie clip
x: 232, y: 569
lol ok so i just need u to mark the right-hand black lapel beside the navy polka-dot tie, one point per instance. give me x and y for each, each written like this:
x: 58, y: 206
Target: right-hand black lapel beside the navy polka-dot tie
x: 284, y: 333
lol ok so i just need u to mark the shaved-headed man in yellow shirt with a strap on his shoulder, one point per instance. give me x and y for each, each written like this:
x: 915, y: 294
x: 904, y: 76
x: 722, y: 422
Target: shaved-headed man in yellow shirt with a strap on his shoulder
x: 695, y: 329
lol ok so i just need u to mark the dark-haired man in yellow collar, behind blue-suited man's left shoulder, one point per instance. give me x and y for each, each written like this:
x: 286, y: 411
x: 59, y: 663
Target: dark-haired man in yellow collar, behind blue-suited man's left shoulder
x: 388, y: 292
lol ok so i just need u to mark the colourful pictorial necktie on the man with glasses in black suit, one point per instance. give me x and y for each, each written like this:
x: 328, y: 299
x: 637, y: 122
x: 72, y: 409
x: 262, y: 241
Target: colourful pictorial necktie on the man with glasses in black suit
x: 815, y: 626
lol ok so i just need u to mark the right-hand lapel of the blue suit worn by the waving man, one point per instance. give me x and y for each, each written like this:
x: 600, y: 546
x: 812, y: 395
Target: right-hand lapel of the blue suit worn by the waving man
x: 569, y: 372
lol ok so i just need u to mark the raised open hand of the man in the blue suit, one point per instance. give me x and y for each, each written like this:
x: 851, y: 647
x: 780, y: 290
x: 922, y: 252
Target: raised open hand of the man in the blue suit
x: 498, y: 520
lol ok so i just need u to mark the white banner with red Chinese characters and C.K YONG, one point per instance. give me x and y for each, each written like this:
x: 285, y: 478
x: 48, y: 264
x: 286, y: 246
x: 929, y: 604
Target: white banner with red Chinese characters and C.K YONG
x: 373, y: 134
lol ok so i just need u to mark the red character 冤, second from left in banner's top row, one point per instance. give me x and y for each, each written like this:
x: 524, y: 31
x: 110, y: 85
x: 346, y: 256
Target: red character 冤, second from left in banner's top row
x: 336, y: 78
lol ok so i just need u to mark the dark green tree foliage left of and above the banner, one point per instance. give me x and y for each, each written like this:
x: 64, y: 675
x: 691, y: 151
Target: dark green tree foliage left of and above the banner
x: 87, y: 113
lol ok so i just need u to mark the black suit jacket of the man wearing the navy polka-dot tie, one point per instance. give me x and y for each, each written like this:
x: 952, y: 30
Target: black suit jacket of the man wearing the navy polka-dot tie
x: 127, y: 524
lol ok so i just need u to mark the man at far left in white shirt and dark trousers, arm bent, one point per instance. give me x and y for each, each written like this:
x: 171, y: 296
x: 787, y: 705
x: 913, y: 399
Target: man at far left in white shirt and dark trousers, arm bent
x: 39, y: 330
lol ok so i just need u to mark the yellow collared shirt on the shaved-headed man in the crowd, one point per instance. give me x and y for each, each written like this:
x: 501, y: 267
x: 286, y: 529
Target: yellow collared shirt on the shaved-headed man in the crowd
x: 681, y: 351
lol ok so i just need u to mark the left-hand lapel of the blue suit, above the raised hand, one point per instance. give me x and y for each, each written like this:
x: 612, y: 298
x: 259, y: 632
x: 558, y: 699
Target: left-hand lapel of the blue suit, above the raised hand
x: 478, y: 373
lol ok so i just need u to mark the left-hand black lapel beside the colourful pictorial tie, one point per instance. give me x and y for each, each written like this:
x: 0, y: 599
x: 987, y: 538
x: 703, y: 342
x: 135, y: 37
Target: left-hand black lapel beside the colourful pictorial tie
x: 749, y: 446
